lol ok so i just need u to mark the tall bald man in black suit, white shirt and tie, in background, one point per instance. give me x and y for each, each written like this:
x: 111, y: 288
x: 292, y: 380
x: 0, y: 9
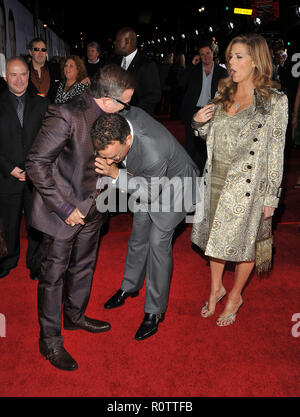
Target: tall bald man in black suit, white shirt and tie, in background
x: 148, y: 90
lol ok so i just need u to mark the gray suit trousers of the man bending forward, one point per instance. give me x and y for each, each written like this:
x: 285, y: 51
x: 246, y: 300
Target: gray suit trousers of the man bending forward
x: 149, y: 253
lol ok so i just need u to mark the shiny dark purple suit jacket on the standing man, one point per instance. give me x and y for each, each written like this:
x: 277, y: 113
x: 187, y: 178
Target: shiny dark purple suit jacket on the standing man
x: 61, y: 166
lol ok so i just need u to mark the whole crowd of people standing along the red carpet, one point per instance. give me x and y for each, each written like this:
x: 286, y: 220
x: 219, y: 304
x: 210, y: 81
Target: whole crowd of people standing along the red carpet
x: 73, y: 129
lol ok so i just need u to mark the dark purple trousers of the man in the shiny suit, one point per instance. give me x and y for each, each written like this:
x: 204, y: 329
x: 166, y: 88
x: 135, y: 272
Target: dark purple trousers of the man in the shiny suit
x: 66, y: 277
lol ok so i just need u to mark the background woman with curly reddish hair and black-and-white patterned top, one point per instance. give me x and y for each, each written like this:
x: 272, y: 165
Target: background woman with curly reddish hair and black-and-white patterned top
x: 75, y: 79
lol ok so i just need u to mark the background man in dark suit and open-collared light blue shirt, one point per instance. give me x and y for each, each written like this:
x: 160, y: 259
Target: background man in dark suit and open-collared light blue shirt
x: 200, y: 82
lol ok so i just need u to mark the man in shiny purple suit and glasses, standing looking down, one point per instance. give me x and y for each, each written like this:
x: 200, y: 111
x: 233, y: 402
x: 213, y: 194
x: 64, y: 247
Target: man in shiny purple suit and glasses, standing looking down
x: 61, y: 166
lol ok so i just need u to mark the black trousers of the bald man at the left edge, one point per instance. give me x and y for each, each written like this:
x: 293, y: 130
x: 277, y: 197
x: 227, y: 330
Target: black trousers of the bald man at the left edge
x: 11, y: 209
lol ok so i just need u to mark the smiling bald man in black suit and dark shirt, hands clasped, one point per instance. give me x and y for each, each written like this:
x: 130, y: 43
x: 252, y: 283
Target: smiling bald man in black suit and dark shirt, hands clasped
x: 21, y: 115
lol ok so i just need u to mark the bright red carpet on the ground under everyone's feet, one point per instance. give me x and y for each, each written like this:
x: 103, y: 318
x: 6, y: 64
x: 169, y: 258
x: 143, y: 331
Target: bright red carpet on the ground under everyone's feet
x: 189, y: 356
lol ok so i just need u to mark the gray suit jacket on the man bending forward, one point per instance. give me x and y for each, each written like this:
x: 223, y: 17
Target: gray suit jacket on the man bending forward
x: 159, y: 172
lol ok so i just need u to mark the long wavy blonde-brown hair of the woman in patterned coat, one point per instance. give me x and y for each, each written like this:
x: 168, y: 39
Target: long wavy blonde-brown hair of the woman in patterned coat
x: 259, y: 52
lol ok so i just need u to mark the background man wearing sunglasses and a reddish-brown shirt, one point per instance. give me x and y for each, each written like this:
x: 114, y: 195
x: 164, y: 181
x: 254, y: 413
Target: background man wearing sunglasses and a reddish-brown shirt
x: 44, y: 76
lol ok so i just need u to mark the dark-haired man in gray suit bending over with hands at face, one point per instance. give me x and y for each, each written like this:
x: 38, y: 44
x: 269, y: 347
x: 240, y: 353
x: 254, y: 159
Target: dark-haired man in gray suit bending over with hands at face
x: 163, y: 177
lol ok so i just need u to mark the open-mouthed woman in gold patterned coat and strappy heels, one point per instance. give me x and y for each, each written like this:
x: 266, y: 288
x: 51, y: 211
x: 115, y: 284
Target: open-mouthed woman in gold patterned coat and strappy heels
x: 245, y: 132
